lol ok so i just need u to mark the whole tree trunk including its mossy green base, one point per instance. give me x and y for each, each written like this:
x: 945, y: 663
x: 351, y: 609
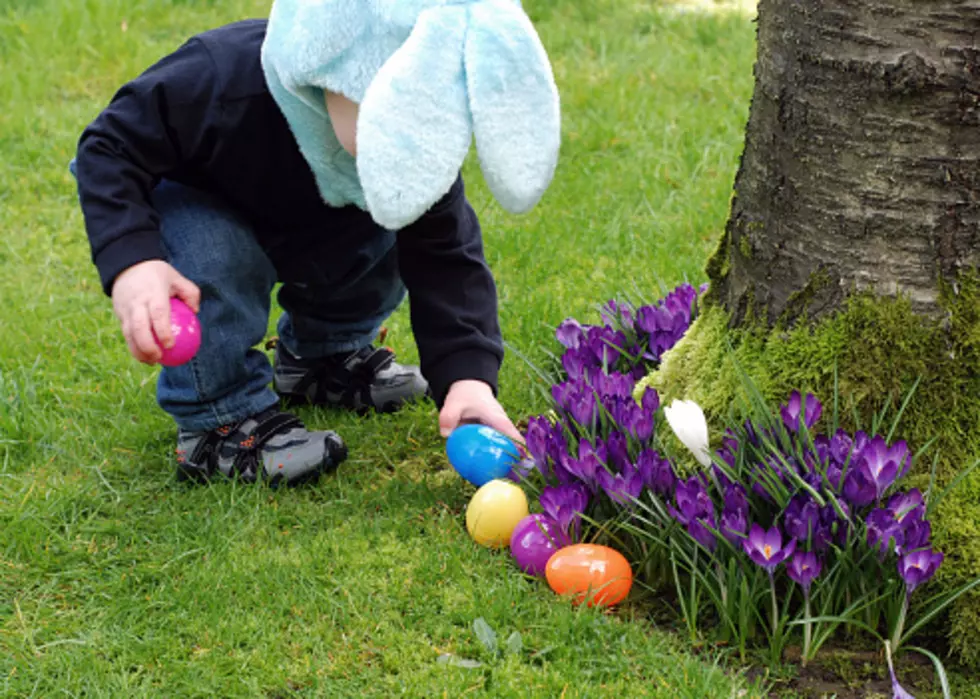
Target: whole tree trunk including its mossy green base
x: 854, y: 240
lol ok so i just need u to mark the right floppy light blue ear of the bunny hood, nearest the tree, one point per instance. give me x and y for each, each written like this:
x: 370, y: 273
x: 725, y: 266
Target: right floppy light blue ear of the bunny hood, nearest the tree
x: 514, y: 104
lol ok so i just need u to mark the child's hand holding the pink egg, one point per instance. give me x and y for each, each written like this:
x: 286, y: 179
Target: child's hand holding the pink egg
x: 141, y: 301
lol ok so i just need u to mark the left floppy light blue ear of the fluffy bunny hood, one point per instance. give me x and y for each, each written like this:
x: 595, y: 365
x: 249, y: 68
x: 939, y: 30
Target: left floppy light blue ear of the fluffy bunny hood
x: 414, y: 128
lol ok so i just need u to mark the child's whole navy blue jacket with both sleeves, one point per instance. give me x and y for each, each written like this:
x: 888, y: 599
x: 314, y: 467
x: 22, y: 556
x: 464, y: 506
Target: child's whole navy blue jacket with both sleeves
x: 204, y: 117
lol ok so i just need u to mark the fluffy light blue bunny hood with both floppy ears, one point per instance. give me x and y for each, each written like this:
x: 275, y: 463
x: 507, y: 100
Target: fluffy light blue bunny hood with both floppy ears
x: 429, y: 76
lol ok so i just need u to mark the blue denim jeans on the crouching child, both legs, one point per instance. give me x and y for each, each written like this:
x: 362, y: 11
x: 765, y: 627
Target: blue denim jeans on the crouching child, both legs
x: 338, y: 287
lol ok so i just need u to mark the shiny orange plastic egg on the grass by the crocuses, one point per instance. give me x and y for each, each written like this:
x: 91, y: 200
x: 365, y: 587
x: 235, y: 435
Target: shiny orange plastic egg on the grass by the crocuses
x: 597, y: 575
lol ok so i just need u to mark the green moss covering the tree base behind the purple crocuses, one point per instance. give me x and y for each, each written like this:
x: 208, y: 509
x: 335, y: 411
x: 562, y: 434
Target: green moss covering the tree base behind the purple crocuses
x: 880, y: 347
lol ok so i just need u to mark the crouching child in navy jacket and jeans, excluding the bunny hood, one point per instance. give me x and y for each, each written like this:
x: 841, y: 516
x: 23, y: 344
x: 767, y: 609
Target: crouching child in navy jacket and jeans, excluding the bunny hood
x: 196, y: 182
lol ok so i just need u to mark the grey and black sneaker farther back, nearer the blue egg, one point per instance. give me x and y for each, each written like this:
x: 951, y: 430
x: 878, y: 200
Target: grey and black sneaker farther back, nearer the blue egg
x: 367, y: 379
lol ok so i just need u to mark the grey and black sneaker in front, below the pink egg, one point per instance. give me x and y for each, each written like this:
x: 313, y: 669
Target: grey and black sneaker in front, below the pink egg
x: 271, y: 446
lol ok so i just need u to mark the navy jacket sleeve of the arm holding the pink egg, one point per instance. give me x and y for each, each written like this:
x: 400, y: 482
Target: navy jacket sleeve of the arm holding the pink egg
x: 155, y: 125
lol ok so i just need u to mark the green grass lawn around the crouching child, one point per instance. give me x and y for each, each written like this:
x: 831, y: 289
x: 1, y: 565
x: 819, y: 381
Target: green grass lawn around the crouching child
x: 115, y: 580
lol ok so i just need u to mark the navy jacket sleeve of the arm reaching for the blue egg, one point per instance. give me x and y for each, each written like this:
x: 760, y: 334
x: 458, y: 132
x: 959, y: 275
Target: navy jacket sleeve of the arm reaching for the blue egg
x: 452, y: 294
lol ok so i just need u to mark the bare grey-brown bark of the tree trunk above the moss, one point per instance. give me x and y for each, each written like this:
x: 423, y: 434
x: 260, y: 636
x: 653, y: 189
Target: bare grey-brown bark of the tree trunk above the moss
x: 861, y: 167
